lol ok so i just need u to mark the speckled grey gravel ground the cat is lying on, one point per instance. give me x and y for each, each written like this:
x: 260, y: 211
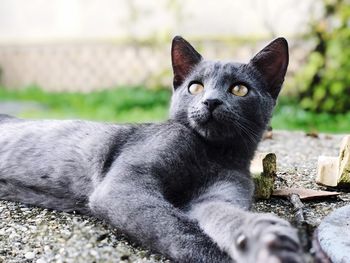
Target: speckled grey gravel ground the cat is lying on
x: 30, y: 234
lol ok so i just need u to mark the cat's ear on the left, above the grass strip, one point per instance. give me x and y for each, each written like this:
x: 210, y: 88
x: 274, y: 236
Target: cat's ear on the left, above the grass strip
x: 184, y: 58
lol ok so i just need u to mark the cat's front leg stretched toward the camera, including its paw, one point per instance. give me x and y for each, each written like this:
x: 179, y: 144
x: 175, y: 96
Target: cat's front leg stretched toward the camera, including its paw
x: 247, y: 237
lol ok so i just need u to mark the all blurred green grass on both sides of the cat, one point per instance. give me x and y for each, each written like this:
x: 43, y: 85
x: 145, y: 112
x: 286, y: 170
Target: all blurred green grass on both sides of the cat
x: 144, y: 105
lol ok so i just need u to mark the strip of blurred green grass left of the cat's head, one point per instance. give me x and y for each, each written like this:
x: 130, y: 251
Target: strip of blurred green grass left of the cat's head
x: 117, y: 105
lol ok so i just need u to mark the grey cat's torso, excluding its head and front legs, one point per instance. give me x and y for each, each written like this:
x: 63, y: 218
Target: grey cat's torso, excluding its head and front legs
x: 73, y: 166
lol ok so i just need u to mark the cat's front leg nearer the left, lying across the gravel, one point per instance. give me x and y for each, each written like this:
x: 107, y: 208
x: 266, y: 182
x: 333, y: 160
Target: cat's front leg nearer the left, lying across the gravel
x: 138, y: 209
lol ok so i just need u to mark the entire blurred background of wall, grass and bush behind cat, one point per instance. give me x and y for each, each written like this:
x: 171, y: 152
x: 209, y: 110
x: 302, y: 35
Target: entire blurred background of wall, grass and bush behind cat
x: 109, y: 60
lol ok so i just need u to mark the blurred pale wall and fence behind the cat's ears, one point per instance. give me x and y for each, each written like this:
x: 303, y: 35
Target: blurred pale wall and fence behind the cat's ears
x: 90, y: 44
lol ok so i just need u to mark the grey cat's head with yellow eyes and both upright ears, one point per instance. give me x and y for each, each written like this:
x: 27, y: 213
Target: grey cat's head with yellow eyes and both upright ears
x: 222, y: 101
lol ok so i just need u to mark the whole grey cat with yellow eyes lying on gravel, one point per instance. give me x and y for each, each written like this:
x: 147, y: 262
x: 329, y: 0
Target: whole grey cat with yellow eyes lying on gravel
x: 181, y: 187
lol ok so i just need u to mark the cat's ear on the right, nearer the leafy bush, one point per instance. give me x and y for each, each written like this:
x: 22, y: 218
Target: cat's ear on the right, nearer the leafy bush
x: 272, y: 63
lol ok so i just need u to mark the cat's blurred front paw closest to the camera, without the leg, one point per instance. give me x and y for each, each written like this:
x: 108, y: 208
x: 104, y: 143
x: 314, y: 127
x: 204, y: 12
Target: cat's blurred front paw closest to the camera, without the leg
x: 265, y: 238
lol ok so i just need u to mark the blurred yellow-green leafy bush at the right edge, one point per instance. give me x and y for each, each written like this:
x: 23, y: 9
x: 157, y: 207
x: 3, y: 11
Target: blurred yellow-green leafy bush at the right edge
x: 325, y: 80
